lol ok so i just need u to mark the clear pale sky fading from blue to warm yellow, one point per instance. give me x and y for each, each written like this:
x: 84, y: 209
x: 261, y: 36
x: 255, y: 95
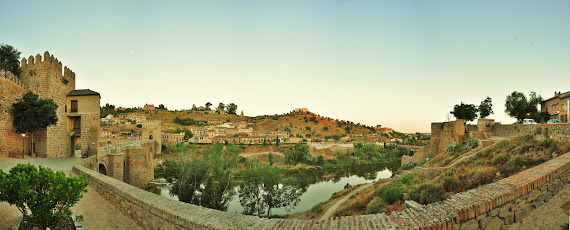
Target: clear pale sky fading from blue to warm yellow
x: 400, y: 64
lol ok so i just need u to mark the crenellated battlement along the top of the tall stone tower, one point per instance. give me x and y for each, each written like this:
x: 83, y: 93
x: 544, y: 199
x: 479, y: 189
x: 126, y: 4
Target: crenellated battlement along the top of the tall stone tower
x: 48, y: 62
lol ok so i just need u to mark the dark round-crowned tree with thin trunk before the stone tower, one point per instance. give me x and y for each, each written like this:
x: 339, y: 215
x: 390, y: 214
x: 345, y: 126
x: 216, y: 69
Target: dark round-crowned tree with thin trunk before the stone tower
x: 32, y: 113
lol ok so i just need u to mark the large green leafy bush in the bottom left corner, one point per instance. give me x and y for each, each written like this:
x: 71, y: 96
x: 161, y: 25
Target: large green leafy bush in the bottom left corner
x: 46, y: 195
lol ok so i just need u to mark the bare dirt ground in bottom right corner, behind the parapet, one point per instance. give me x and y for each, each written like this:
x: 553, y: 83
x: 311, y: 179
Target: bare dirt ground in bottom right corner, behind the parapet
x: 548, y: 216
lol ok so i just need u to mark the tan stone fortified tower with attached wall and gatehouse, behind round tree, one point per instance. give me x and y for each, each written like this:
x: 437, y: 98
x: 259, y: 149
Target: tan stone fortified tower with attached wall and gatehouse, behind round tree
x: 48, y: 79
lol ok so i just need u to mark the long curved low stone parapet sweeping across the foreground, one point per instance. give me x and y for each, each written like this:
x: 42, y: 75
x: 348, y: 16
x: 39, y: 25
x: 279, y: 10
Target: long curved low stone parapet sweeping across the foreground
x: 493, y: 205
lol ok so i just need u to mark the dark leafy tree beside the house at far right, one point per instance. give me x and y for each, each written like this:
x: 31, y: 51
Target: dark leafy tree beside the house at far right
x: 518, y: 106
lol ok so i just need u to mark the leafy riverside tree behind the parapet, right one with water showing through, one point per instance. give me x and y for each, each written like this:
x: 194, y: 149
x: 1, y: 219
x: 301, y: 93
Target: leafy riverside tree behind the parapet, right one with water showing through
x: 264, y: 187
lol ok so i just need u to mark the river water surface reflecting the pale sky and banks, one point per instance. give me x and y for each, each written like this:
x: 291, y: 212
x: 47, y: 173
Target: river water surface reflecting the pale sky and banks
x: 319, y: 185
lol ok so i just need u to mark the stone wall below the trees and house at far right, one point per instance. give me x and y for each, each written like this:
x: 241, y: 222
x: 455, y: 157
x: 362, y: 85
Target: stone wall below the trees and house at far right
x: 555, y: 131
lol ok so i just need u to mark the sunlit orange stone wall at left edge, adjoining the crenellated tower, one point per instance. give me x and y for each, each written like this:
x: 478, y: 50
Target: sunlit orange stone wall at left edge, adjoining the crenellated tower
x: 11, y: 89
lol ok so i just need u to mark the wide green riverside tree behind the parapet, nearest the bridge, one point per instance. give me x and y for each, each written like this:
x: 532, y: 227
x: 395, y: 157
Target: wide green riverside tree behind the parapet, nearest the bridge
x: 203, y: 178
